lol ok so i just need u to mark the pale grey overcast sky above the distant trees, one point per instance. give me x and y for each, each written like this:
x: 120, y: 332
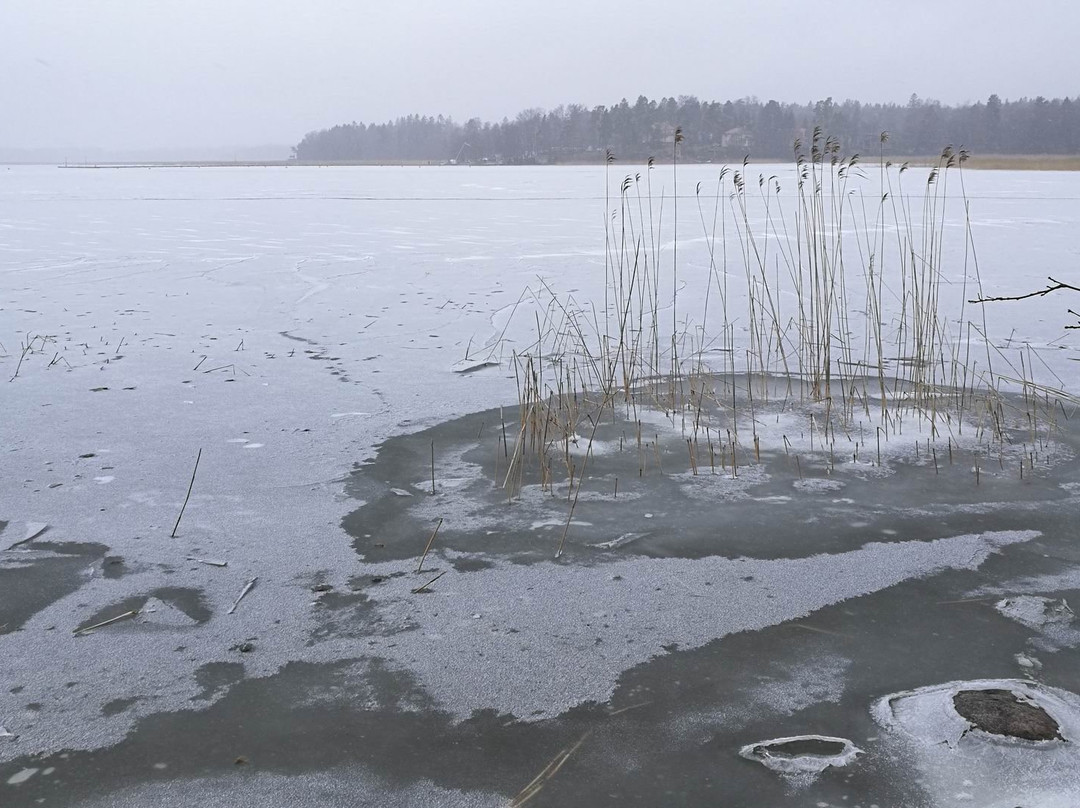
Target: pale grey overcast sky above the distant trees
x: 156, y: 74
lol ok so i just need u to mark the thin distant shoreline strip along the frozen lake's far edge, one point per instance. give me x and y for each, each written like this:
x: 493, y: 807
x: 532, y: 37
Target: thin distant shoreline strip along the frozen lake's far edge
x: 984, y: 163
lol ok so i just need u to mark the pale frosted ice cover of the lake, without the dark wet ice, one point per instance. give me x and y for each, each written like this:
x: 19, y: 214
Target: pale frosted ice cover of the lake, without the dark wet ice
x: 323, y: 340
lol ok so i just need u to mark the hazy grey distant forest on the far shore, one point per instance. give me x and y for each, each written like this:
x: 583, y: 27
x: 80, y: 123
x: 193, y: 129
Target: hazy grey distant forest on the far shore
x: 712, y: 131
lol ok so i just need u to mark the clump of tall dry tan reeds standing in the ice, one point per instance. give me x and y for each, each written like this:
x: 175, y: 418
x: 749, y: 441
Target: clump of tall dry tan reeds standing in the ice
x: 825, y: 300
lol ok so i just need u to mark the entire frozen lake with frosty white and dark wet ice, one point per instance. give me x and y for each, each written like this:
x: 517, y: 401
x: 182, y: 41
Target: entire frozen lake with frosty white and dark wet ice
x: 302, y: 327
